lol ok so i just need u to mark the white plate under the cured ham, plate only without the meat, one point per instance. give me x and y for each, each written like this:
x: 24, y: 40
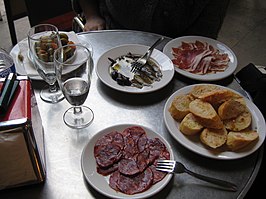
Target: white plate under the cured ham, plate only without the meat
x: 216, y: 44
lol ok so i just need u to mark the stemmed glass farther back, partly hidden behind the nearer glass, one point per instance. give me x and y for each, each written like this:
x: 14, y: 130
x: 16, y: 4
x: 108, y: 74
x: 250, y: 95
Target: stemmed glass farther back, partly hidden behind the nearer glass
x: 43, y: 39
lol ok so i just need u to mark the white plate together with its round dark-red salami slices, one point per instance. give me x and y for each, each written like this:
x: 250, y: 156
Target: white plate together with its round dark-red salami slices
x: 119, y: 161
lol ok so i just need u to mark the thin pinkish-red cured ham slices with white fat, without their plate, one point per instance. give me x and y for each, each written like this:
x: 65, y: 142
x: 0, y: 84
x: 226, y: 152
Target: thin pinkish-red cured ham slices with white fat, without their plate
x: 199, y: 58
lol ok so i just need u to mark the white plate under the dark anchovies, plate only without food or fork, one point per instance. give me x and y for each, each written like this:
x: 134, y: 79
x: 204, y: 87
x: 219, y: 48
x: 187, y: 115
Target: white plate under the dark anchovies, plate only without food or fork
x: 103, y: 64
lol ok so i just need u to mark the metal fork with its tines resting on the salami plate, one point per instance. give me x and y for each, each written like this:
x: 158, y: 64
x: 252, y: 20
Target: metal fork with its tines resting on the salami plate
x: 171, y: 166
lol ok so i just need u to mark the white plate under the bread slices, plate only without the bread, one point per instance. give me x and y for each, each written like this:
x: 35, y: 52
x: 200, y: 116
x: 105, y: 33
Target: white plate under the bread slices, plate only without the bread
x: 196, y: 146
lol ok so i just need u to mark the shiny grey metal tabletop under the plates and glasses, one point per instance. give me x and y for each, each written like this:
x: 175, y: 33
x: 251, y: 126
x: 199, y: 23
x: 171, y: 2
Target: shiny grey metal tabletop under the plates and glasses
x: 64, y: 145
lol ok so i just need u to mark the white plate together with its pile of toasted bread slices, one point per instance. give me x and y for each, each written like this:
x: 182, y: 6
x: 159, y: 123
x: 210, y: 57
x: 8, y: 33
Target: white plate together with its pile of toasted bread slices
x: 214, y: 121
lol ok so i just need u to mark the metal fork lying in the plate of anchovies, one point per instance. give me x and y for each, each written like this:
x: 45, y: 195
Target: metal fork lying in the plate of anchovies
x: 137, y: 65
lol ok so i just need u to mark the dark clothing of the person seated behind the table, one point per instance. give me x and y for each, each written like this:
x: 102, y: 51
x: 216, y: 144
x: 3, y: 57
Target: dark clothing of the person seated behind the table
x: 172, y: 18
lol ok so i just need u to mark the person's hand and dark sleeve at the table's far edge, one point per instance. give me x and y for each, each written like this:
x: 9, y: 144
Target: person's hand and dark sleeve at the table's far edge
x: 91, y: 12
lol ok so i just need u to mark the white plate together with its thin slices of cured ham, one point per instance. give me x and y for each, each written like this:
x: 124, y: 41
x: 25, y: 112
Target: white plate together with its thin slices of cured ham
x: 201, y: 58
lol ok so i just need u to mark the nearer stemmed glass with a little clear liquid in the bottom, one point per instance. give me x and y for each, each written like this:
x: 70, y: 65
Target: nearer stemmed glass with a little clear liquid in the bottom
x: 74, y: 67
